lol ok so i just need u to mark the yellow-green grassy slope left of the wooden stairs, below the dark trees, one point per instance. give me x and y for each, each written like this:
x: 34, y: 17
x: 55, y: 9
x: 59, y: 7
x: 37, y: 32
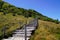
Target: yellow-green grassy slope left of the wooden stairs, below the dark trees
x: 11, y: 22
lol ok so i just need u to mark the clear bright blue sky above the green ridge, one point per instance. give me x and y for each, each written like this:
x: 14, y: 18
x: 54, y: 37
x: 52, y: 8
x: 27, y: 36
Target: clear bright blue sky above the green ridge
x: 50, y: 8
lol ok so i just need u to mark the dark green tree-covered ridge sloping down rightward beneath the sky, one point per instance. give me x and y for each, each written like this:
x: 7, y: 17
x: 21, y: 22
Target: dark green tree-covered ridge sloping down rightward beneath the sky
x: 7, y: 8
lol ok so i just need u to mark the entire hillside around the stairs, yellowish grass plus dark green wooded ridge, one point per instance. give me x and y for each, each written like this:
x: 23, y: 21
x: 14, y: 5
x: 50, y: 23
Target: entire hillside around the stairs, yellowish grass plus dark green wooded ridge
x: 12, y: 17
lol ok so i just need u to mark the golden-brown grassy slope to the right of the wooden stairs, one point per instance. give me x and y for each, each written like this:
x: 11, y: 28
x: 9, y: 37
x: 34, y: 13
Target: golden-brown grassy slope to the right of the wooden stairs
x: 47, y: 31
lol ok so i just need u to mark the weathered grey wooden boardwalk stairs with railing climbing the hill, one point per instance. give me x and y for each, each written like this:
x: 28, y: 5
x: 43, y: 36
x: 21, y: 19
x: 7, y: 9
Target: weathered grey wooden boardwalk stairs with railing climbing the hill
x: 25, y: 32
